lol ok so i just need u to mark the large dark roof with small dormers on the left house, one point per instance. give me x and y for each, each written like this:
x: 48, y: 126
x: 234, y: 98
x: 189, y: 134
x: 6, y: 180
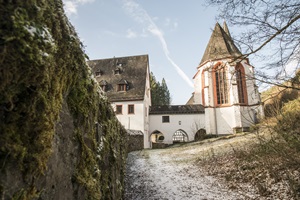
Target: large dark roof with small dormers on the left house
x: 131, y: 71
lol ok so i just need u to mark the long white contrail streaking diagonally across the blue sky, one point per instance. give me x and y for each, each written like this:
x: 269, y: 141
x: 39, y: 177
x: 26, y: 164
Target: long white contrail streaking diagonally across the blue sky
x: 141, y: 16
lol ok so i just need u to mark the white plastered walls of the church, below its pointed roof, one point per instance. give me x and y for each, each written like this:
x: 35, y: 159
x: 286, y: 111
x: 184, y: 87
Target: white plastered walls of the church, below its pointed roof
x: 222, y: 120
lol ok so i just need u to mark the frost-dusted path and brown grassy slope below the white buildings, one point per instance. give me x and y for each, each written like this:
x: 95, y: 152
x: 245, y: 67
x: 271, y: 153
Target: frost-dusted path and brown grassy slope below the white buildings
x: 210, y: 169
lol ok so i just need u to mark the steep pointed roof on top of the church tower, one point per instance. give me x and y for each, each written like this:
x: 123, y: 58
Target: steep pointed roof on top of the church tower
x: 220, y: 45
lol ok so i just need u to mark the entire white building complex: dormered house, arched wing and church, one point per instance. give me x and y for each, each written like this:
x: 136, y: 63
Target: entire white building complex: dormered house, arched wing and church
x: 225, y: 98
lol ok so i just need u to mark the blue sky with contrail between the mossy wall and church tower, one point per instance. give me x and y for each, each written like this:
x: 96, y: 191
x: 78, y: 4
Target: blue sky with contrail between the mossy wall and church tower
x: 174, y: 33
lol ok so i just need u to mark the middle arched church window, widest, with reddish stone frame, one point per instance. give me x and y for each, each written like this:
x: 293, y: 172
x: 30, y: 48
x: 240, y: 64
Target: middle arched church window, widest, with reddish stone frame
x: 221, y: 85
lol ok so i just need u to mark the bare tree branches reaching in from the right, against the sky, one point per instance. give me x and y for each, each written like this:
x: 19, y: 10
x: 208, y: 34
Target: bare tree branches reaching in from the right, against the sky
x: 270, y: 33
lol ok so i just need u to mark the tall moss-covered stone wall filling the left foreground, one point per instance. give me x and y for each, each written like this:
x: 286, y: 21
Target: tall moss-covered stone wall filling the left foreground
x: 59, y: 137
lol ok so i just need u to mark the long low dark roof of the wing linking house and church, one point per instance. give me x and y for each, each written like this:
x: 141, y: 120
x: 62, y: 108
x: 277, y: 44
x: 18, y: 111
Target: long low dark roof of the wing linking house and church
x: 176, y: 109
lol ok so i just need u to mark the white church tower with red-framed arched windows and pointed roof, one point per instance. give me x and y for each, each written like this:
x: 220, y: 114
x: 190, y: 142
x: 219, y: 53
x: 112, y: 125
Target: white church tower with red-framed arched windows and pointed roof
x: 224, y: 84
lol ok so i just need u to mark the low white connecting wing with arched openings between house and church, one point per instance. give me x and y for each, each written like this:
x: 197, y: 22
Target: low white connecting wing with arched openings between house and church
x: 176, y: 123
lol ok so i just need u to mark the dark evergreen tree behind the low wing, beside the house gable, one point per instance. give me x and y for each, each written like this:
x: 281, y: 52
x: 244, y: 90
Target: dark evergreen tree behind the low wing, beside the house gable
x: 160, y: 94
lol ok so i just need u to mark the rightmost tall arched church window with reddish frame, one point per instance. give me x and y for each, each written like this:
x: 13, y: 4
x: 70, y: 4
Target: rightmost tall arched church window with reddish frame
x: 241, y: 84
